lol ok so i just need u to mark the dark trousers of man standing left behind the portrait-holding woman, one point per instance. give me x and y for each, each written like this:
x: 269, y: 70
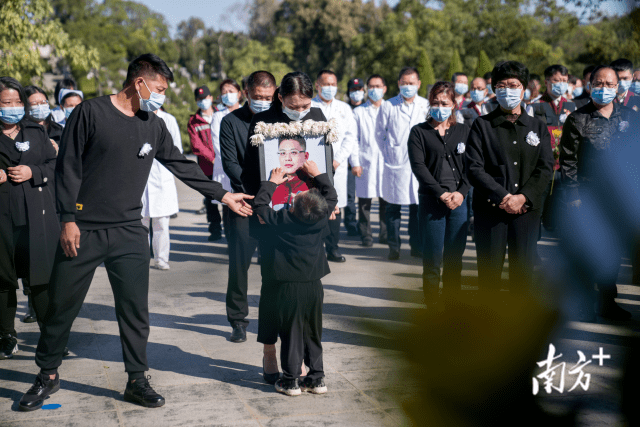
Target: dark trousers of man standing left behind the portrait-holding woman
x: 242, y: 246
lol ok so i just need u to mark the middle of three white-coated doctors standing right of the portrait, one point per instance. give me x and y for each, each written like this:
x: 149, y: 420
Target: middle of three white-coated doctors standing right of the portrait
x: 367, y: 153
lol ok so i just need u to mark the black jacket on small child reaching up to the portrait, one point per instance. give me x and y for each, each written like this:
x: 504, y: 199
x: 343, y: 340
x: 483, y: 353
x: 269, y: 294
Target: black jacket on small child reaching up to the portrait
x: 298, y: 247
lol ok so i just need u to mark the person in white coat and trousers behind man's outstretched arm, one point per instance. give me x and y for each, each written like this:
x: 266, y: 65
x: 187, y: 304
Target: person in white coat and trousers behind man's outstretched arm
x: 160, y: 199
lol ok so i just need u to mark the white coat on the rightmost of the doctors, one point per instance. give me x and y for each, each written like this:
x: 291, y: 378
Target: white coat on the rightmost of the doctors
x: 394, y: 123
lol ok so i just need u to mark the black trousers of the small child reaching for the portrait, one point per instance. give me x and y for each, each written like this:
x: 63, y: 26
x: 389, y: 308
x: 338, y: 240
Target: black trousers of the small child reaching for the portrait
x: 300, y: 312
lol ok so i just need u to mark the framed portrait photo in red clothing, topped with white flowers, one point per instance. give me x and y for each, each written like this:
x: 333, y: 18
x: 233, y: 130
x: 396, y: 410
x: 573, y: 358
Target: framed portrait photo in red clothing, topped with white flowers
x: 288, y: 146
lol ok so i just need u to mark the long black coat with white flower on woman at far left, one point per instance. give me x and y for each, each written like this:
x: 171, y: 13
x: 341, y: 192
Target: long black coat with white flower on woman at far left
x: 42, y: 220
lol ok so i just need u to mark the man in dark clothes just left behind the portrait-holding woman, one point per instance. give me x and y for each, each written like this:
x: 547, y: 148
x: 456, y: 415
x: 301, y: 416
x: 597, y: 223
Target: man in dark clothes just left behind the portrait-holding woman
x: 242, y: 240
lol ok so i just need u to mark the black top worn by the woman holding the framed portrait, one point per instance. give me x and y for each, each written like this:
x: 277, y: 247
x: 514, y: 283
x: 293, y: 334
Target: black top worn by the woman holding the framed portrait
x: 251, y: 171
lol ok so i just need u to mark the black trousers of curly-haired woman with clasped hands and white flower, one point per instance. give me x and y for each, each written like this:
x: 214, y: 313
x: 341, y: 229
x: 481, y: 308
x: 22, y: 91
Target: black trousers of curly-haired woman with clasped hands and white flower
x: 494, y: 229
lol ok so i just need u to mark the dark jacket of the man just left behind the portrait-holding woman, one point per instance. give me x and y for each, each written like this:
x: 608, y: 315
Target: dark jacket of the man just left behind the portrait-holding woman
x: 234, y: 134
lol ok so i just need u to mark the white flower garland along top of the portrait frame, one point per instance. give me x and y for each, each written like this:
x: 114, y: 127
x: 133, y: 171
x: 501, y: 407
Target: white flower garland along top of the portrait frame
x: 264, y: 131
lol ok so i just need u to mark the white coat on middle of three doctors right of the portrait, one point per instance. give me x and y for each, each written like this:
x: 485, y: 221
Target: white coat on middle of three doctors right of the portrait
x: 367, y: 152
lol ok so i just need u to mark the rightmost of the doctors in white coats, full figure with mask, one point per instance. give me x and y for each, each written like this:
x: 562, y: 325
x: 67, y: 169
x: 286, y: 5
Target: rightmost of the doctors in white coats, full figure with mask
x: 399, y: 187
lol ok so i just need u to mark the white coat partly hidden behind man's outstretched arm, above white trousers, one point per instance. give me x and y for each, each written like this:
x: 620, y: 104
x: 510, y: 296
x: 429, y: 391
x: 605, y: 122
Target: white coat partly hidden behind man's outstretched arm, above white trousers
x: 160, y: 197
